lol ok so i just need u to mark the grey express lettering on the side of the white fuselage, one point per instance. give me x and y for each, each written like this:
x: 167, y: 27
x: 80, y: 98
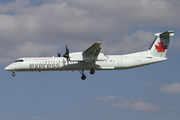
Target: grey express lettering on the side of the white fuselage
x: 44, y: 66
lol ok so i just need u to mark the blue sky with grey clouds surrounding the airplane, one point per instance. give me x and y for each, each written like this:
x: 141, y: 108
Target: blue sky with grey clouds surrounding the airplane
x: 44, y: 27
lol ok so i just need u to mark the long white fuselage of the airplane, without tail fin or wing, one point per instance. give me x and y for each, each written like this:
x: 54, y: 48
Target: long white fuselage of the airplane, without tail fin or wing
x: 114, y: 62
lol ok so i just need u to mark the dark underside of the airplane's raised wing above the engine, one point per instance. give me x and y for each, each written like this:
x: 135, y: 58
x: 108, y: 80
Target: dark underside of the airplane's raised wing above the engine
x: 95, y: 49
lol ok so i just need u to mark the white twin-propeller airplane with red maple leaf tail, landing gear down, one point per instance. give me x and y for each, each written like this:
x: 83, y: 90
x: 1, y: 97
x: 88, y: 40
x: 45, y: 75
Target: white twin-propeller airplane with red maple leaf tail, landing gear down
x: 92, y: 59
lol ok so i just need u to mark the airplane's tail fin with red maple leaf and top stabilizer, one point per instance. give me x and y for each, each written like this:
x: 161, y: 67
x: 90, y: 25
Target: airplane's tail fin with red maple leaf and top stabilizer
x: 160, y: 45
